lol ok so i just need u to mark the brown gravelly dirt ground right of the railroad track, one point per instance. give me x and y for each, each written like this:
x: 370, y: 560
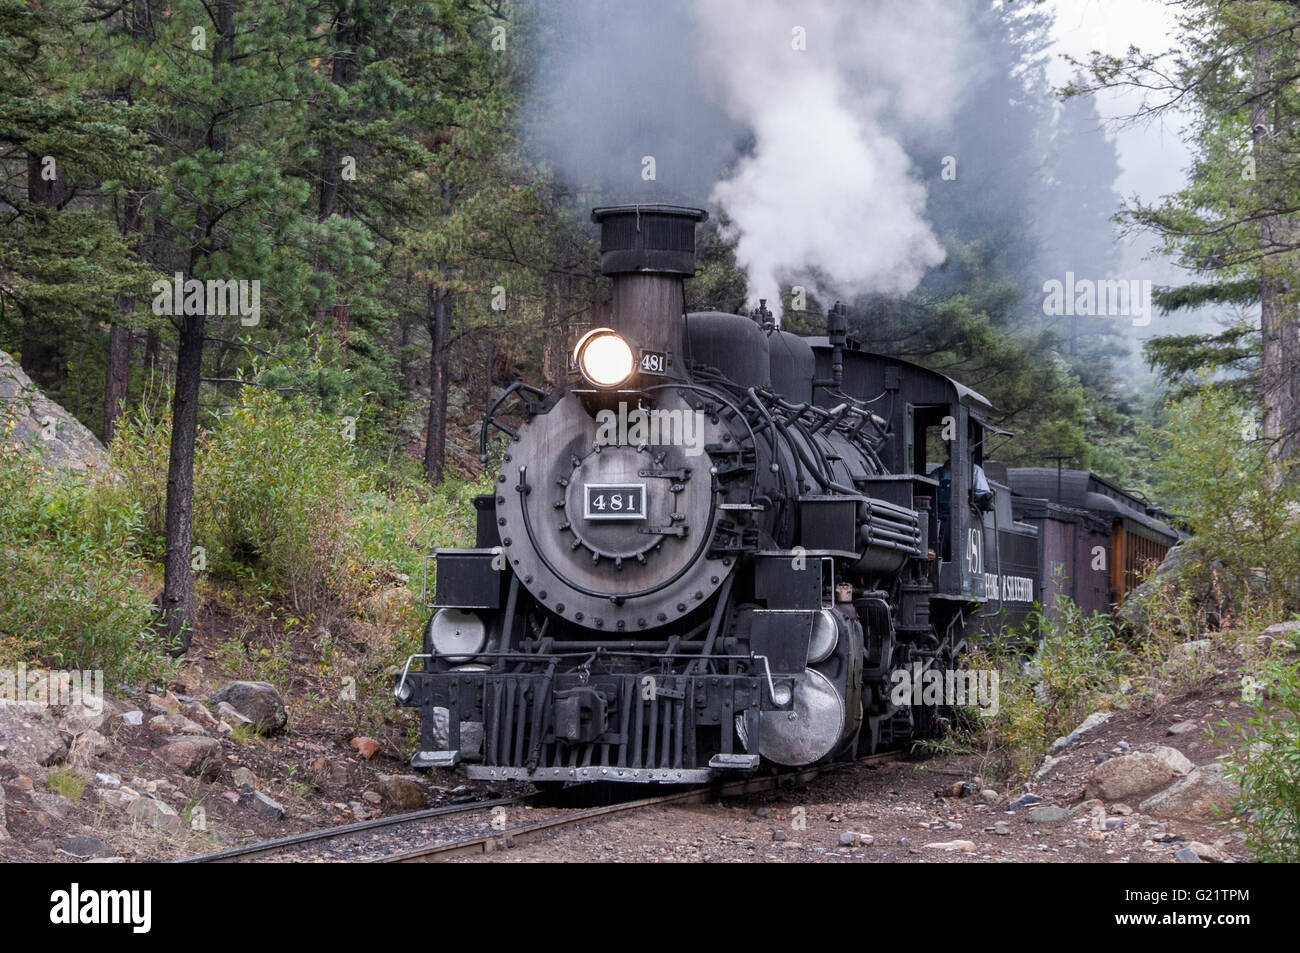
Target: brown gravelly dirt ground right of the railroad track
x: 905, y: 811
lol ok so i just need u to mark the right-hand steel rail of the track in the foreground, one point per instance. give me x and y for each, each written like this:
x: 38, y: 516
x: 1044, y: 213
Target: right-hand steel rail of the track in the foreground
x: 515, y: 837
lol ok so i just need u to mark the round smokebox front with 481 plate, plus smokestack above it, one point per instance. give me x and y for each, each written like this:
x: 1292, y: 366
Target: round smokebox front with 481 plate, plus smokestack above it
x: 608, y: 518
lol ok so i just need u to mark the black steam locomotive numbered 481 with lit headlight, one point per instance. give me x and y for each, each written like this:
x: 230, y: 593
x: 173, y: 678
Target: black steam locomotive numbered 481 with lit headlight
x: 721, y: 548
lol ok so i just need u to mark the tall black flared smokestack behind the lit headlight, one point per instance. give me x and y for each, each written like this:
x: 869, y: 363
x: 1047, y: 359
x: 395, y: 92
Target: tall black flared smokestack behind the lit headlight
x: 648, y: 250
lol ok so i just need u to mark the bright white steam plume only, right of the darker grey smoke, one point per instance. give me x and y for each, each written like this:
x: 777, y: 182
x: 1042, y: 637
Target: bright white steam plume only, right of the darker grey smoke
x: 827, y: 196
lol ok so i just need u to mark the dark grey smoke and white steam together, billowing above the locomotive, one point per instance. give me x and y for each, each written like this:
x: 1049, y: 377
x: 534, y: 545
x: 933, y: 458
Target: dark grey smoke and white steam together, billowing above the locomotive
x: 804, y: 149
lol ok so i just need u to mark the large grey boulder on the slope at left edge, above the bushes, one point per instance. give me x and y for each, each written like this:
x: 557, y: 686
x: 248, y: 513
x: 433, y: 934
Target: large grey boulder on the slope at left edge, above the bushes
x: 63, y: 441
